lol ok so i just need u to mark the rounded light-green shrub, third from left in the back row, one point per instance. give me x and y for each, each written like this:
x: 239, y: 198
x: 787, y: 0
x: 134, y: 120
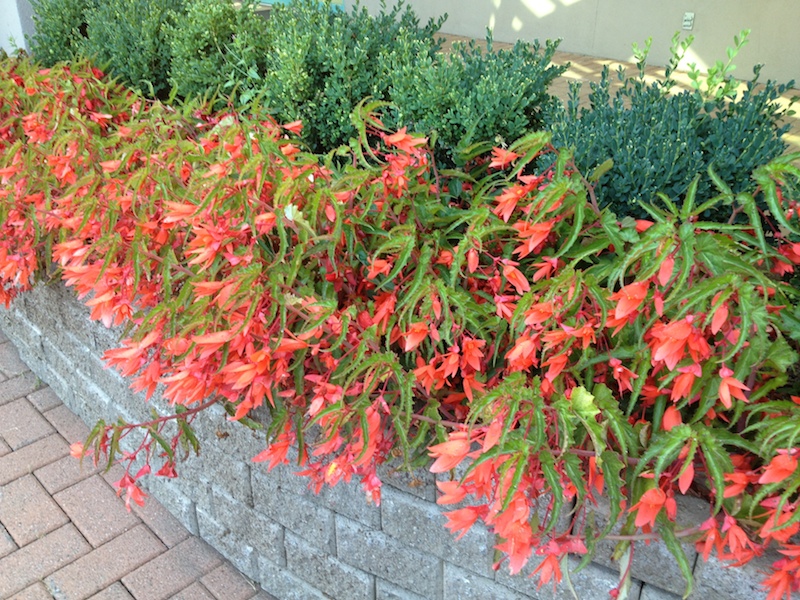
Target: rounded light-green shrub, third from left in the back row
x: 218, y: 47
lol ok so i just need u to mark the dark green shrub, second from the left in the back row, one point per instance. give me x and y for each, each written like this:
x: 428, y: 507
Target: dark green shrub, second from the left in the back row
x: 128, y: 38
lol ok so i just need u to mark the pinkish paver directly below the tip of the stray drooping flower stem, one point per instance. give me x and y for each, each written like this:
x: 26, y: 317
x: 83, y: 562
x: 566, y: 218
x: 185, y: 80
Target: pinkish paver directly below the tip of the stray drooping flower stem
x: 96, y: 510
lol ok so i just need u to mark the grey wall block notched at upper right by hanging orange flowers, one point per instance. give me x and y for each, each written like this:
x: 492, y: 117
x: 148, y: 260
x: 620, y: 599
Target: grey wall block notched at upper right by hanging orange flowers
x: 420, y: 524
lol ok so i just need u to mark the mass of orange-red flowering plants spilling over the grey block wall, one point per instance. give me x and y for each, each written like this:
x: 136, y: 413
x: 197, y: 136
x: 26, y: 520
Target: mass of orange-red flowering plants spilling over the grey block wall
x: 552, y: 353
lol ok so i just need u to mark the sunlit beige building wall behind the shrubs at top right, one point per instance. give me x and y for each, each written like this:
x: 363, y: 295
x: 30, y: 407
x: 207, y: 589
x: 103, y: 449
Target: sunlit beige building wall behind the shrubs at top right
x: 607, y: 28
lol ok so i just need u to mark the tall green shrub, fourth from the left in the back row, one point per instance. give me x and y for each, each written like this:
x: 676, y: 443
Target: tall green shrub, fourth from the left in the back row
x: 324, y: 61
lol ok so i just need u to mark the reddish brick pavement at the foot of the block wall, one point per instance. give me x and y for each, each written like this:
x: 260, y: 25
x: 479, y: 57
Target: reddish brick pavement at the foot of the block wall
x: 64, y: 533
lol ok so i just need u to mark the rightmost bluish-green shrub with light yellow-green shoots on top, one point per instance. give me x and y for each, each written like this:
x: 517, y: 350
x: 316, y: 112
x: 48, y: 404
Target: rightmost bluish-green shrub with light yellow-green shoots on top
x: 660, y: 141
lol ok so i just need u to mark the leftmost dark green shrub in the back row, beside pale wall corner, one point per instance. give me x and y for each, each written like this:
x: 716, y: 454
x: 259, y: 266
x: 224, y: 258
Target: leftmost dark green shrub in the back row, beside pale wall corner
x: 60, y: 29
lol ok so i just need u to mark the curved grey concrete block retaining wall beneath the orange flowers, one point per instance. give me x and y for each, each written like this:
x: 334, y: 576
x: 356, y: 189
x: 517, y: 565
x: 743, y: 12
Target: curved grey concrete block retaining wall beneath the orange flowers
x: 302, y: 546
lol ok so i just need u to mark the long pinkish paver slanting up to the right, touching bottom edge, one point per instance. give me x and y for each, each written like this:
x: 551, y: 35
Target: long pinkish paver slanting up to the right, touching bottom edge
x: 104, y: 565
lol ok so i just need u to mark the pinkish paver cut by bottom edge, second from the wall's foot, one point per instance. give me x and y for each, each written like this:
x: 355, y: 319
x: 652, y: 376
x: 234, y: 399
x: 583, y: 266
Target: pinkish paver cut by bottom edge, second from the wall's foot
x: 172, y: 571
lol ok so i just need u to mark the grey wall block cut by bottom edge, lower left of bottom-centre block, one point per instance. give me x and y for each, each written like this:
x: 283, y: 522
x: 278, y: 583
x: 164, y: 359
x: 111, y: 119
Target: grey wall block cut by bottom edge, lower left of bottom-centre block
x: 325, y: 572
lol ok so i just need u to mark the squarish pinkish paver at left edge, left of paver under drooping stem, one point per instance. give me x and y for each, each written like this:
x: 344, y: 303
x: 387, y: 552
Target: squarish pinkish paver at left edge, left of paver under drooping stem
x: 27, y: 510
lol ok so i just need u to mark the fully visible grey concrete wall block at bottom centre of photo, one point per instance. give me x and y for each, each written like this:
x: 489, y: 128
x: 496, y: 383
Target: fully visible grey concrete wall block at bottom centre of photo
x: 381, y: 555
